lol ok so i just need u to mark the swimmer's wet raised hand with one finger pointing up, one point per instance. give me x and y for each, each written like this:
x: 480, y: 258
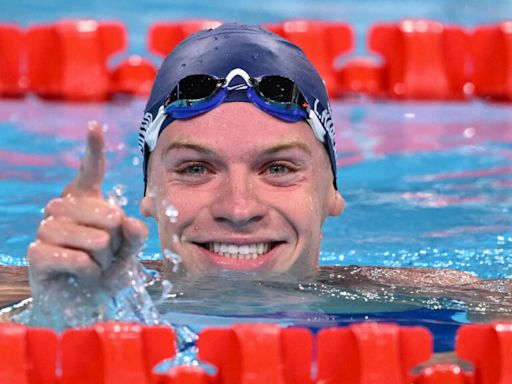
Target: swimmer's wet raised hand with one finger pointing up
x: 82, y: 235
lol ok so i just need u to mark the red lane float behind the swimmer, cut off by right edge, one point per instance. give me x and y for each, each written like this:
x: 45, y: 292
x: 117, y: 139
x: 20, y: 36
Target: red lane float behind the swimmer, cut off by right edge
x: 492, y: 60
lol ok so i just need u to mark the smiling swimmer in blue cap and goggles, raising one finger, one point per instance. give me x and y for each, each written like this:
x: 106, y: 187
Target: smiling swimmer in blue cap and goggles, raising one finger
x: 237, y: 138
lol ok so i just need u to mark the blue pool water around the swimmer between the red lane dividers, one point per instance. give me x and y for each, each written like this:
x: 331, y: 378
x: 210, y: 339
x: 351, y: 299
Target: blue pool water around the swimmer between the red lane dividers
x: 426, y: 185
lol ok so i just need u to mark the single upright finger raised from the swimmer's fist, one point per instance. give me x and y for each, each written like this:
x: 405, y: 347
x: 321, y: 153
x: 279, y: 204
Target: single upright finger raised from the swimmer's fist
x: 90, y: 176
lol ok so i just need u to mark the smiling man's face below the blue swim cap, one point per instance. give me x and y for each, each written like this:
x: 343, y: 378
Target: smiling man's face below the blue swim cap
x: 251, y: 191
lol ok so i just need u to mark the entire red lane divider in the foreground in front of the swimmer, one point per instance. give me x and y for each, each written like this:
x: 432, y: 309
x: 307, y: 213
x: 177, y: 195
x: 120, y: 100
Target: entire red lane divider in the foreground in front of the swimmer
x: 364, y: 353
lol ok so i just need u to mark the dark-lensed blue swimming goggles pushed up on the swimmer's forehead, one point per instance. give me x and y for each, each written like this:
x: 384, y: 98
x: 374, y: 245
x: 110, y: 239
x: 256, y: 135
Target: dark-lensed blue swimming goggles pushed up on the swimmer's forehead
x: 198, y: 94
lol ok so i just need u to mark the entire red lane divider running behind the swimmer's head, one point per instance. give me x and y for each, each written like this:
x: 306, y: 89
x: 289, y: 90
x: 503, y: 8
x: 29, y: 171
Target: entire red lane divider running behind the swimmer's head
x: 421, y: 59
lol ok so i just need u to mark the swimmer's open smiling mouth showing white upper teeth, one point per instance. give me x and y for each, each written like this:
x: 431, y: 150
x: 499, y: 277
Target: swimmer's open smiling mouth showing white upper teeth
x: 240, y: 257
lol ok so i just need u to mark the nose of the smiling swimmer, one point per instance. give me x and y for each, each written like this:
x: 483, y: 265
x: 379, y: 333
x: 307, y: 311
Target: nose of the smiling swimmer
x: 237, y: 203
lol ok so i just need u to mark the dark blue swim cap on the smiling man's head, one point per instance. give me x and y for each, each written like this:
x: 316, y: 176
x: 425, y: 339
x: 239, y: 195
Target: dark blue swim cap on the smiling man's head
x: 216, y: 52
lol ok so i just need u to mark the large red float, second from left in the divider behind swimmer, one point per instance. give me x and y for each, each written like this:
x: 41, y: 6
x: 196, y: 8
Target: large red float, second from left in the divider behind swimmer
x: 68, y: 59
